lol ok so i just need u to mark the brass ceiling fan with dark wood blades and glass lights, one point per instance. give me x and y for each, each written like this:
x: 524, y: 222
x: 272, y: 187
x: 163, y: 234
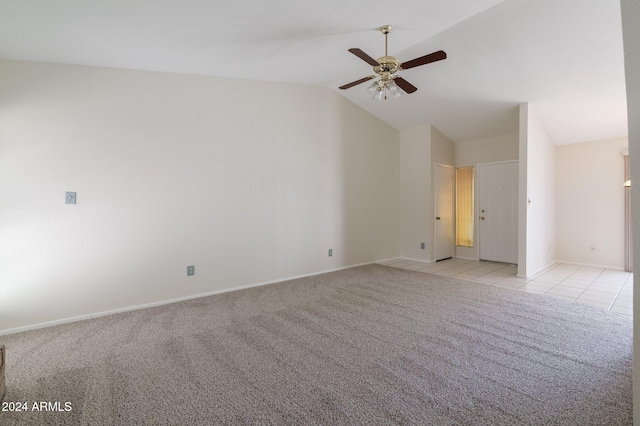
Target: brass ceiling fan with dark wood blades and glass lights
x: 386, y: 66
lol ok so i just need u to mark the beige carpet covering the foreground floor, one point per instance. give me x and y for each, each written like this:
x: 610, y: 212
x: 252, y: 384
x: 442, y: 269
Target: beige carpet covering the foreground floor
x: 369, y: 345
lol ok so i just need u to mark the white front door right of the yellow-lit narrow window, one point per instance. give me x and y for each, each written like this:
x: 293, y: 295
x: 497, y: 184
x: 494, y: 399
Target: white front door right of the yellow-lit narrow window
x: 498, y: 211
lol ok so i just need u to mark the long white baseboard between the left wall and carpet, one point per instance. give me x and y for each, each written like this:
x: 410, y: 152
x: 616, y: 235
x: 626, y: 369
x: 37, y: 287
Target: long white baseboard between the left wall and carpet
x: 166, y: 302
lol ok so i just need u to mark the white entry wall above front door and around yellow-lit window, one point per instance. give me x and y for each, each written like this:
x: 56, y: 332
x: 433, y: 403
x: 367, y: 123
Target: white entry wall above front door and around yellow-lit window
x: 485, y: 150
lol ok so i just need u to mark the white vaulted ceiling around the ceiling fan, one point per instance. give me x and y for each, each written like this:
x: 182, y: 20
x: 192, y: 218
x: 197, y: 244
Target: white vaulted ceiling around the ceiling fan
x: 563, y: 56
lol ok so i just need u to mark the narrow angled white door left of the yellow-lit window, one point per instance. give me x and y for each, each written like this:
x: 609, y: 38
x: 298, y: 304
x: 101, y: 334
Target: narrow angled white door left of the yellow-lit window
x: 443, y: 191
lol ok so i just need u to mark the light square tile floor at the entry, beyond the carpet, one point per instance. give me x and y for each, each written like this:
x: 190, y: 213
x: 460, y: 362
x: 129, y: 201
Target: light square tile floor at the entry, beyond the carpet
x: 609, y: 289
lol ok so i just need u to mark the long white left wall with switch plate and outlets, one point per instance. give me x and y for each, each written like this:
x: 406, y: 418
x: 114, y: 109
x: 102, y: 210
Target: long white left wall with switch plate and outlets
x: 248, y: 181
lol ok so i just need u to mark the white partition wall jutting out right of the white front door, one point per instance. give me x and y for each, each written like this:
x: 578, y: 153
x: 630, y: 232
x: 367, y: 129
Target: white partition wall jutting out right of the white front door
x: 537, y: 213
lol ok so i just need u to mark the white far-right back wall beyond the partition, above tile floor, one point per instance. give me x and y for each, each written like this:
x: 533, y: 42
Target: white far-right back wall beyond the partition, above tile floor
x: 590, y: 202
